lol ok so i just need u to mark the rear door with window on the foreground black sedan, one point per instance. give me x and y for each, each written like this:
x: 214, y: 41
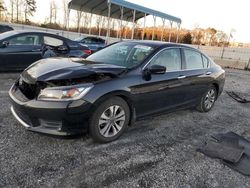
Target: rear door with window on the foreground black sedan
x: 197, y: 74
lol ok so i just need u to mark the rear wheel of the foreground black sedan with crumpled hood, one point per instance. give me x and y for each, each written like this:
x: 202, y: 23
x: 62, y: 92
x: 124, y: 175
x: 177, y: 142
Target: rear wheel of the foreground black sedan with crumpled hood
x: 208, y: 99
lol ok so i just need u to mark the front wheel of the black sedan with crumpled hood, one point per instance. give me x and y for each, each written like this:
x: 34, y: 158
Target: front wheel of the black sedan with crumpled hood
x: 109, y: 120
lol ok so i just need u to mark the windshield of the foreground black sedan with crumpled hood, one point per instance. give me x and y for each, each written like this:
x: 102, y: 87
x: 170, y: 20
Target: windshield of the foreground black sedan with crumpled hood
x: 126, y: 54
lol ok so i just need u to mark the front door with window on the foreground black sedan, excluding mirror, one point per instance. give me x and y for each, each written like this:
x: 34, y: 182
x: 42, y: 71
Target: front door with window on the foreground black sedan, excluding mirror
x: 163, y: 91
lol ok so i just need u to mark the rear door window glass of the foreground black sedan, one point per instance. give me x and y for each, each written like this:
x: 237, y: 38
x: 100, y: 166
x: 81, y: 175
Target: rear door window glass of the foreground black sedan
x: 193, y: 59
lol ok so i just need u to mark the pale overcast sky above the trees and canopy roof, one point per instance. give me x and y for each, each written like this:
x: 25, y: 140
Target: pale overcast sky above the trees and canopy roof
x: 220, y: 14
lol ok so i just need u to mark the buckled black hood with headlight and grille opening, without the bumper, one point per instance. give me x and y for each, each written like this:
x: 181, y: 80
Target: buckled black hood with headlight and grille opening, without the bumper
x: 63, y: 79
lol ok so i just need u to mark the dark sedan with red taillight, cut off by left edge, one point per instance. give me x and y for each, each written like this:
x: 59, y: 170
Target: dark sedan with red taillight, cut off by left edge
x: 19, y: 49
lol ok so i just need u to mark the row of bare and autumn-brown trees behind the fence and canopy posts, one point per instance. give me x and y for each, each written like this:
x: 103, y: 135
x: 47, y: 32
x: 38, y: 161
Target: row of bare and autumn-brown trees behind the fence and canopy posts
x: 21, y: 11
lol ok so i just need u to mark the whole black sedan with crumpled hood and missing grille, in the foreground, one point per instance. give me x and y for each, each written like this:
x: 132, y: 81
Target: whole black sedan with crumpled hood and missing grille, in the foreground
x: 114, y: 87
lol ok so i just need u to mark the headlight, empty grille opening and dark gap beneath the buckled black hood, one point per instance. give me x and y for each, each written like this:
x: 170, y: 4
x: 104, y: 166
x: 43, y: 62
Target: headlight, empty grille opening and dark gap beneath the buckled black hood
x: 64, y: 89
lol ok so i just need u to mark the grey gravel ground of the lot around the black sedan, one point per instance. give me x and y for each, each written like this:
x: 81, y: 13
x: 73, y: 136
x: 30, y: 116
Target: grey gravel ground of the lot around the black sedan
x: 156, y: 152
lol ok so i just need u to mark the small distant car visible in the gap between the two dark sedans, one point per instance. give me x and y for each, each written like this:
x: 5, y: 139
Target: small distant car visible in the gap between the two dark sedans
x: 93, y: 43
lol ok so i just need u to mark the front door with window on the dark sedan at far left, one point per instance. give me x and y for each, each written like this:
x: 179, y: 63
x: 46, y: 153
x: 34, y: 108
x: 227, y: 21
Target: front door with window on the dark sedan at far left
x: 21, y: 51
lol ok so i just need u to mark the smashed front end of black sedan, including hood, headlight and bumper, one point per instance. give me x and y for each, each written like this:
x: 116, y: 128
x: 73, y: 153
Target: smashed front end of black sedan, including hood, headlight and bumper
x: 48, y: 96
